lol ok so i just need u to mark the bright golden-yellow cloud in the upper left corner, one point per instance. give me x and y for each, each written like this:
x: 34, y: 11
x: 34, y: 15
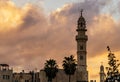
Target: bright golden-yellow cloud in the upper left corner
x: 11, y: 17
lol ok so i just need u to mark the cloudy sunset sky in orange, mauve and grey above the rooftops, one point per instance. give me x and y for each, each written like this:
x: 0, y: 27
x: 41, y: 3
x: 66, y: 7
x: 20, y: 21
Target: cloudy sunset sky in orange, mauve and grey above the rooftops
x: 32, y: 31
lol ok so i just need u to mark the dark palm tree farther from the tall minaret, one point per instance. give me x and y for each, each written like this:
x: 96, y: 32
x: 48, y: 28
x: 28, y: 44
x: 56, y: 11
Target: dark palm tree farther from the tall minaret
x: 51, y: 69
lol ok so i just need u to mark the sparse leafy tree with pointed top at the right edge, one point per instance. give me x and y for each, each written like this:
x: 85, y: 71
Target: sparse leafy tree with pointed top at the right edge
x: 112, y: 70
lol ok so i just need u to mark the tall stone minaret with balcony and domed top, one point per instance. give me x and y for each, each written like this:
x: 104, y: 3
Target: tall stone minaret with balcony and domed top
x: 81, y: 38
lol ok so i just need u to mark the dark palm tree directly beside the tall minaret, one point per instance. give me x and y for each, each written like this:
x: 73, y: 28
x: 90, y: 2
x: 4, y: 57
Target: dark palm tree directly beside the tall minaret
x: 69, y: 66
